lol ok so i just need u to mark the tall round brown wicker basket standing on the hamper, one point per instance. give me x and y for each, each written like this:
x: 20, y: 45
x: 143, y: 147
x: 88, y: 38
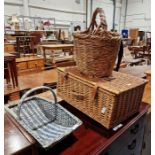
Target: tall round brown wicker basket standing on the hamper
x: 96, y: 48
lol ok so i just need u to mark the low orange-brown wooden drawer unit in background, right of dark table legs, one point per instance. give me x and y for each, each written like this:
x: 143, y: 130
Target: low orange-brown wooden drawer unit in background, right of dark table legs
x: 27, y: 64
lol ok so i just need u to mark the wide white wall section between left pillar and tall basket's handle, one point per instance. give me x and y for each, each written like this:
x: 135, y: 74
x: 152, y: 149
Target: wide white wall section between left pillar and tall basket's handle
x: 68, y: 10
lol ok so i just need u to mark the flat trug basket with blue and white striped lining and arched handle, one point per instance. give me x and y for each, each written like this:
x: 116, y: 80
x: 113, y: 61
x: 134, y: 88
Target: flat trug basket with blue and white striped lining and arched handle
x: 47, y: 121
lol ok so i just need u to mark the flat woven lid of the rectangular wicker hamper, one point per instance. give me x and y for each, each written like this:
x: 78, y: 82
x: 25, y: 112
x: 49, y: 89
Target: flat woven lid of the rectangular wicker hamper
x: 117, y: 83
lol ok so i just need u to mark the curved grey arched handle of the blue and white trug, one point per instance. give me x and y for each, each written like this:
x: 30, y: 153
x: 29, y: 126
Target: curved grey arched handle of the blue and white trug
x: 31, y: 91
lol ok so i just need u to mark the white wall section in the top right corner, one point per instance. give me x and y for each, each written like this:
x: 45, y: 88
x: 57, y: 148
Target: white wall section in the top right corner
x: 139, y: 14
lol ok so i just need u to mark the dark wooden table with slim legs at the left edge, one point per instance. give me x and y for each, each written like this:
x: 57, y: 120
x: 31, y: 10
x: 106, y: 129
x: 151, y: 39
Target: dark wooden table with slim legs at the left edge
x: 10, y: 68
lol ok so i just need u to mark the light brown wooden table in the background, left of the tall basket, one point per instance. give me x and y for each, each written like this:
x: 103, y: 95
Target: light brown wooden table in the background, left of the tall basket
x: 56, y: 47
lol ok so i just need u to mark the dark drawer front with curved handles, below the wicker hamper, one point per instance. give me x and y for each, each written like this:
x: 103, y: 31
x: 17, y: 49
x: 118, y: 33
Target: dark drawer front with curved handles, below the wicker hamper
x: 130, y: 142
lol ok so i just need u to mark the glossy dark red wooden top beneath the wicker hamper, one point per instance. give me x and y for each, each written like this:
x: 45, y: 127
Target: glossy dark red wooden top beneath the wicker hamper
x: 91, y: 138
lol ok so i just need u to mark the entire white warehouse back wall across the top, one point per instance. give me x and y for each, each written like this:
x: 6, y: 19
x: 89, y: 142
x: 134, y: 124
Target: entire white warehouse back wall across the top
x: 138, y: 11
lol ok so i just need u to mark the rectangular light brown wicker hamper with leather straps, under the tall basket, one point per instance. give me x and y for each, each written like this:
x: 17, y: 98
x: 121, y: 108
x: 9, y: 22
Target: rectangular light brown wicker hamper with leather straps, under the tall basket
x: 109, y: 101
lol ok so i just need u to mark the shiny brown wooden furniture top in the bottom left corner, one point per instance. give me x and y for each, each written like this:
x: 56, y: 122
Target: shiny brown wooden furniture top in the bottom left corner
x: 15, y: 142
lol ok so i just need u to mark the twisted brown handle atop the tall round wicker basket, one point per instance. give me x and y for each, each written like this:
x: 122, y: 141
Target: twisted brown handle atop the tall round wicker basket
x: 103, y: 22
